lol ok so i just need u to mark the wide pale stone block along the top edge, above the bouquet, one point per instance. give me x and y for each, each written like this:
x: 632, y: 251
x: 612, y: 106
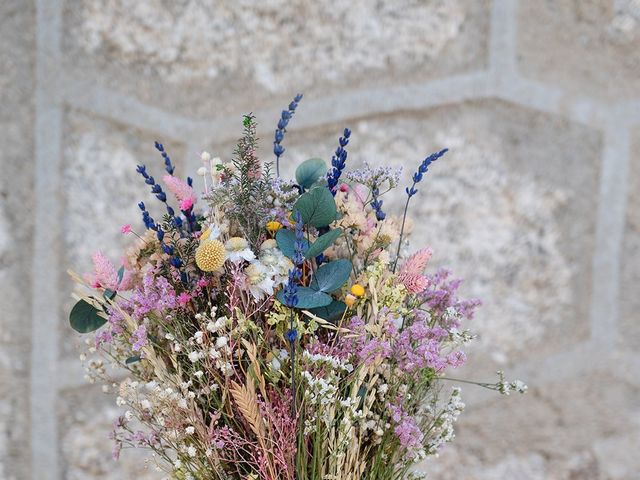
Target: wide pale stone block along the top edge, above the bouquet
x: 155, y: 48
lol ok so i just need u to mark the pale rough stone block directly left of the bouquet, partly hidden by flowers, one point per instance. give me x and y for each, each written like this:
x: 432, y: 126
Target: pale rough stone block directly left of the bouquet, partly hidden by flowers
x: 104, y: 189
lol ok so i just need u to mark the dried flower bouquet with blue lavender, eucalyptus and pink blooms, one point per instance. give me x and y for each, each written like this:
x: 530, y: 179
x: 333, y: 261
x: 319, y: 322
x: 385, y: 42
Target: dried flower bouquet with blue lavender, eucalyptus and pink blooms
x: 270, y: 328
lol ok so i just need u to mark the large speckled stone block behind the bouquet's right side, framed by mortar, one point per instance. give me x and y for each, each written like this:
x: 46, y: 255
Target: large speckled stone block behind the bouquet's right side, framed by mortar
x: 493, y: 211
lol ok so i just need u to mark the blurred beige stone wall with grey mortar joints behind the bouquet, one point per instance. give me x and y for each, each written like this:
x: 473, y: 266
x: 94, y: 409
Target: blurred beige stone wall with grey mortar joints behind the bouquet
x: 537, y: 204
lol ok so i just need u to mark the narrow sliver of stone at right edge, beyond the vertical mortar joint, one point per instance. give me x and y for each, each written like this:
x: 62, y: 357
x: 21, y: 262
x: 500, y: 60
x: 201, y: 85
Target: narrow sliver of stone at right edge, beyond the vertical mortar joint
x: 630, y: 275
